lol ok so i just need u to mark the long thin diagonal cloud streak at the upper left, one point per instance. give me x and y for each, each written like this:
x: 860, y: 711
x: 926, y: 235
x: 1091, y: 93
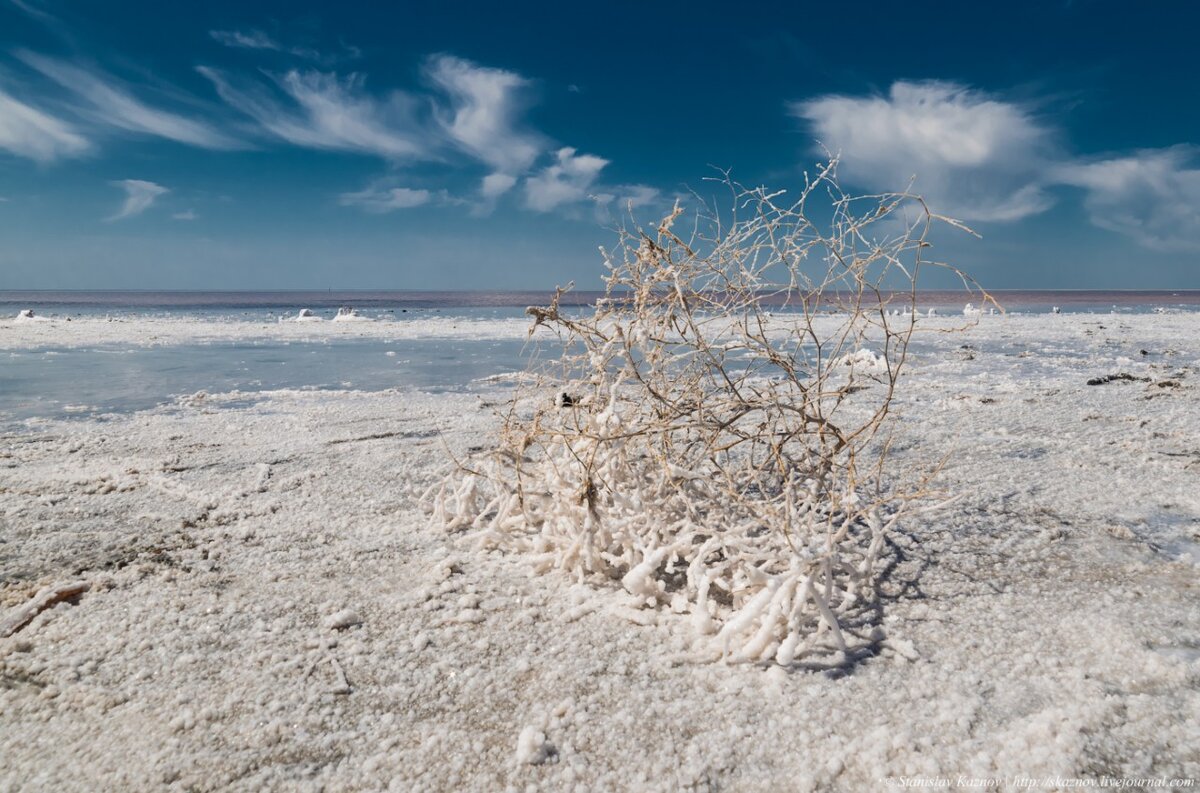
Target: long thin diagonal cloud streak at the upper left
x: 109, y: 104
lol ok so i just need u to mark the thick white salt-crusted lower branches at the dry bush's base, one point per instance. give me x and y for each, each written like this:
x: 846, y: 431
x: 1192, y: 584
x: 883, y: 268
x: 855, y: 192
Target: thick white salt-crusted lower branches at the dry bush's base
x: 787, y: 603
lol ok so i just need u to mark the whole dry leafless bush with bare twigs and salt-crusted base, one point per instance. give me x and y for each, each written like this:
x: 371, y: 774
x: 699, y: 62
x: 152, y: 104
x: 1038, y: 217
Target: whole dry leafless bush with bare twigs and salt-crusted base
x: 711, y: 435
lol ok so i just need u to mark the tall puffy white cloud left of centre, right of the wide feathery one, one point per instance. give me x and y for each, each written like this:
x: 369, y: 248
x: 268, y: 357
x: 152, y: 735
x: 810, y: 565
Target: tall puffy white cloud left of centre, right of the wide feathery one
x: 483, y: 121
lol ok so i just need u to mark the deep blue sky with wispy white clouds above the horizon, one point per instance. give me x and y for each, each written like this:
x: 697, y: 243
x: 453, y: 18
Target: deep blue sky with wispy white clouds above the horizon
x: 490, y: 146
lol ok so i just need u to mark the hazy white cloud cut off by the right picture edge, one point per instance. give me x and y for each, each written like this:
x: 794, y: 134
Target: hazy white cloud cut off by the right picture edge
x: 1153, y: 196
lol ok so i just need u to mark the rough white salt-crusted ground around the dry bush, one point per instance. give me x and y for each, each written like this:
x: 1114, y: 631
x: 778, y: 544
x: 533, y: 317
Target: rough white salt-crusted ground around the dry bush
x: 269, y: 610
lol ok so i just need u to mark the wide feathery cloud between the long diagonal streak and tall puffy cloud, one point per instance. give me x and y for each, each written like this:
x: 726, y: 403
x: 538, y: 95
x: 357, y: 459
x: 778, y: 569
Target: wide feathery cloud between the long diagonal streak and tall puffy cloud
x: 327, y: 112
